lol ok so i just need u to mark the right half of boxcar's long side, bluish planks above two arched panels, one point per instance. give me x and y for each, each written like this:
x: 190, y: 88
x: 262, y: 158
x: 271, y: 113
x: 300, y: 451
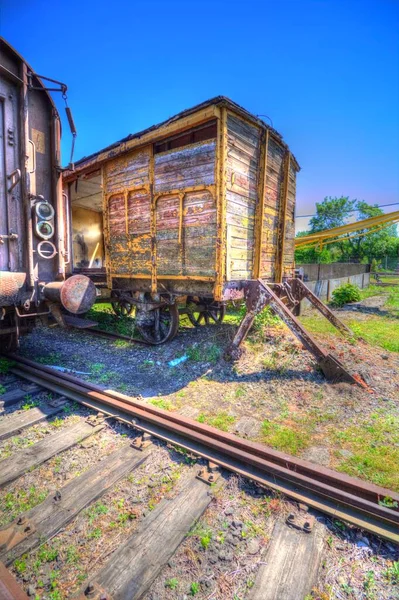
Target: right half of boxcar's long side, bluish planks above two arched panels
x: 191, y: 249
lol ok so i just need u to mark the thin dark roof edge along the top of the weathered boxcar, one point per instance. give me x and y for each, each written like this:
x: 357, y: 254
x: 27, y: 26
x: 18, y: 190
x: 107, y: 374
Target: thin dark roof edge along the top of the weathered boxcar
x: 115, y: 149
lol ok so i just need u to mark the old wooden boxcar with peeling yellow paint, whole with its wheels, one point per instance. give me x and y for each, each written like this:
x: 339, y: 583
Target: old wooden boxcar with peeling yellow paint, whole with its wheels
x: 192, y: 207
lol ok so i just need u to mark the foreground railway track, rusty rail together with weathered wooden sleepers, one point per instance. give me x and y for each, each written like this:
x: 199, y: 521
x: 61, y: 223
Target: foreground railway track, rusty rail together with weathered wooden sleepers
x: 135, y: 565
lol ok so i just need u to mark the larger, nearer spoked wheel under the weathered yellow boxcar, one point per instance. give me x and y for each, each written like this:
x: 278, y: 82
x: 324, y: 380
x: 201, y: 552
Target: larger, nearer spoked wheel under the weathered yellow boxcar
x: 159, y: 325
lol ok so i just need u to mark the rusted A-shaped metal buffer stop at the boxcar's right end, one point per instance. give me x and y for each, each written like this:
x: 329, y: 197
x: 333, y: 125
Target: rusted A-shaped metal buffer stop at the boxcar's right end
x: 258, y: 295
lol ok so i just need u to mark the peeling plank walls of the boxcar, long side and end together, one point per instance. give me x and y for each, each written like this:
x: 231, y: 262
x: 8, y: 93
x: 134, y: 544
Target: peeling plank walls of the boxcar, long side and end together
x: 163, y: 199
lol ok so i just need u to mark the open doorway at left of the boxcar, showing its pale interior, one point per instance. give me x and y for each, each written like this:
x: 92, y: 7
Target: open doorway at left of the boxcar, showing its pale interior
x: 87, y: 230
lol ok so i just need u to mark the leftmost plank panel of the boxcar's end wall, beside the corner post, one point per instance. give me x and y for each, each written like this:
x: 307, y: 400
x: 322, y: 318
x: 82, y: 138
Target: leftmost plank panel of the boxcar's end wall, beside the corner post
x: 243, y: 152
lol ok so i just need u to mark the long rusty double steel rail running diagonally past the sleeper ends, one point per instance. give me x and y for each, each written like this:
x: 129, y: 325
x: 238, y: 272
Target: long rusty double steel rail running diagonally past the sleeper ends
x: 334, y: 493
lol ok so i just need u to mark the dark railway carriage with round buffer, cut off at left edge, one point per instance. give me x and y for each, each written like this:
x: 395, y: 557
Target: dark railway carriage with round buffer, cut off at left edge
x: 34, y: 241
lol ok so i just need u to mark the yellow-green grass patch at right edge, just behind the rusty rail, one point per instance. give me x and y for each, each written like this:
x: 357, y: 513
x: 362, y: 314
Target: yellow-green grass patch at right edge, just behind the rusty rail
x: 374, y: 444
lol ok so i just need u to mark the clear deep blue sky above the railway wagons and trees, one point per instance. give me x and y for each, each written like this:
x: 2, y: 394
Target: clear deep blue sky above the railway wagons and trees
x: 325, y: 71
